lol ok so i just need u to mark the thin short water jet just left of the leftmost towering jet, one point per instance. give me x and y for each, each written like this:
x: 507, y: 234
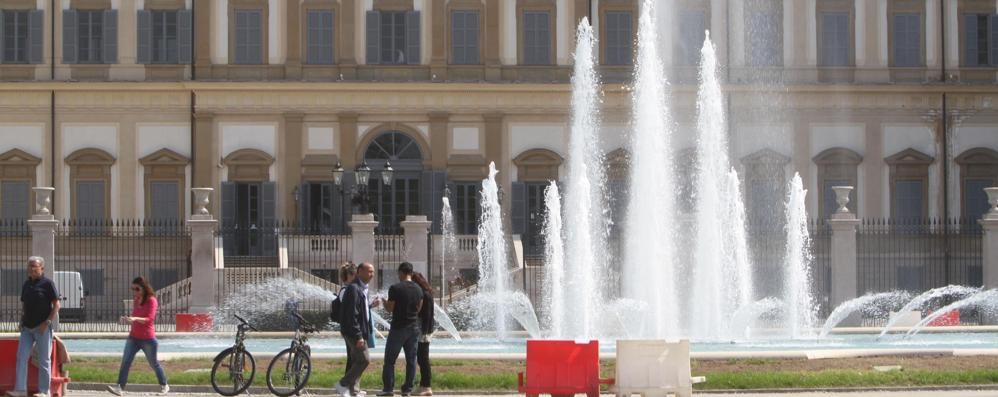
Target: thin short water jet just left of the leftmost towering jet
x: 554, y: 262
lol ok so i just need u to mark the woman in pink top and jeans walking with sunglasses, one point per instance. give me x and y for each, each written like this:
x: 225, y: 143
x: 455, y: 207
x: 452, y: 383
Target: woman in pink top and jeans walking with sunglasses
x: 142, y: 336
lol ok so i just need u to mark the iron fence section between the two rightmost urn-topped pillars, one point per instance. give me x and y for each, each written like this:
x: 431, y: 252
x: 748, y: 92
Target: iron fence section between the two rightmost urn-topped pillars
x: 917, y: 255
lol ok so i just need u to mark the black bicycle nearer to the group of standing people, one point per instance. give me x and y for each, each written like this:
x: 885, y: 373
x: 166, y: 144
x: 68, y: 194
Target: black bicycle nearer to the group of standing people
x: 289, y: 370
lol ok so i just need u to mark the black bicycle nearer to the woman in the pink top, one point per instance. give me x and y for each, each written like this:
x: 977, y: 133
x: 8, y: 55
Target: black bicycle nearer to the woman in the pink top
x: 234, y: 367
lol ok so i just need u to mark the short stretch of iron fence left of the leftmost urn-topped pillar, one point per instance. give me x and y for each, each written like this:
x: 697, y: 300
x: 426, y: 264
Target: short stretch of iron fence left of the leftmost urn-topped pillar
x: 15, y: 248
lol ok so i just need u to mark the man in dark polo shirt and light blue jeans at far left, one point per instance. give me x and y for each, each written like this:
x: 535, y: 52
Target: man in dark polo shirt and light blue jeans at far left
x: 41, y: 306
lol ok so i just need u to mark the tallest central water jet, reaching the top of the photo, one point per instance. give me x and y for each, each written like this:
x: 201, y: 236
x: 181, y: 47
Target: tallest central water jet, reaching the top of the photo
x: 649, y: 270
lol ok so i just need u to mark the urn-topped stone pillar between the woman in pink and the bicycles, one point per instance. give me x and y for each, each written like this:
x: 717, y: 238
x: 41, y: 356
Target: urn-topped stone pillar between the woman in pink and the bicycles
x: 203, y: 269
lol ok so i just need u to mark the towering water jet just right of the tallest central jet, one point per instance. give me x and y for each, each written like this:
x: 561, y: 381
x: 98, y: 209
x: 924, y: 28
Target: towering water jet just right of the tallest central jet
x: 717, y: 280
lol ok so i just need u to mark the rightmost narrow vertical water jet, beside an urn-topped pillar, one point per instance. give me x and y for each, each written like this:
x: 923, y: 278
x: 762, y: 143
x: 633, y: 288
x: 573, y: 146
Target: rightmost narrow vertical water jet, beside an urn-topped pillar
x: 801, y: 313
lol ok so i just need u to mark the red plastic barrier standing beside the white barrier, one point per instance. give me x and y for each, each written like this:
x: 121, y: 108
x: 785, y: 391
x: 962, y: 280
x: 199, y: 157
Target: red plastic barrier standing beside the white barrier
x: 562, y: 368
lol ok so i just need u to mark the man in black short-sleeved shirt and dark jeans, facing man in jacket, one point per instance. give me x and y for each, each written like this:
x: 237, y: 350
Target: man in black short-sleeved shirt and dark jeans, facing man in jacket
x: 404, y: 301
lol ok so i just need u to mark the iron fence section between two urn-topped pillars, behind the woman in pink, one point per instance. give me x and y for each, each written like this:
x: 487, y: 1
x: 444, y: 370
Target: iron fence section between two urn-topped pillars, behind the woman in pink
x: 99, y: 259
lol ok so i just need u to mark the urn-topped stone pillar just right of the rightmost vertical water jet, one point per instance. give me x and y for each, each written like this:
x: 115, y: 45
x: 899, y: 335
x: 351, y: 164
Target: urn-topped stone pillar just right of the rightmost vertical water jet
x: 843, y: 250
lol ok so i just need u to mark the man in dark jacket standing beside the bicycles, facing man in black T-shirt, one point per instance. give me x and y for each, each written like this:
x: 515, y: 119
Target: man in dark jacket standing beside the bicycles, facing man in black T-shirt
x: 355, y: 326
